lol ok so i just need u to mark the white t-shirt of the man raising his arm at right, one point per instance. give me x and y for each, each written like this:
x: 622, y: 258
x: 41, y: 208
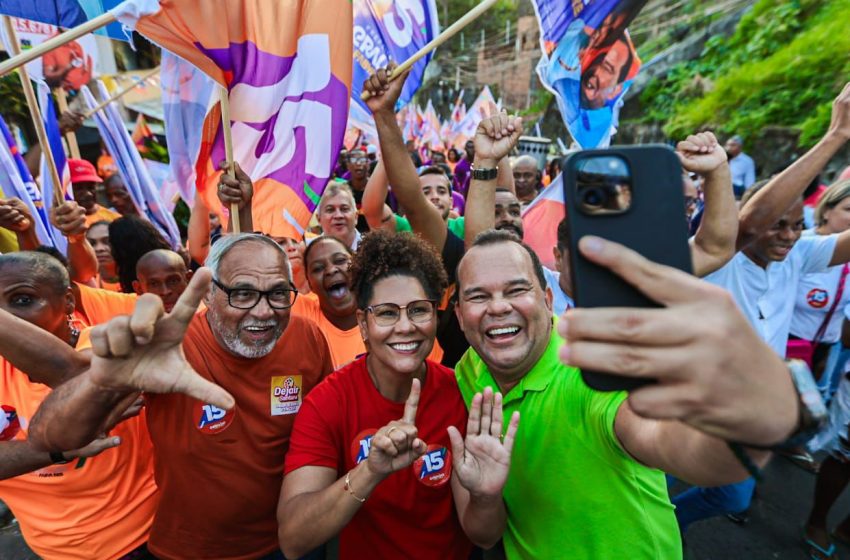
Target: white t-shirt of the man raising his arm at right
x: 766, y: 295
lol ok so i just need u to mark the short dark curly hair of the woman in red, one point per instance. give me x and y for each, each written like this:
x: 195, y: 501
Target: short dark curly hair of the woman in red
x: 383, y: 254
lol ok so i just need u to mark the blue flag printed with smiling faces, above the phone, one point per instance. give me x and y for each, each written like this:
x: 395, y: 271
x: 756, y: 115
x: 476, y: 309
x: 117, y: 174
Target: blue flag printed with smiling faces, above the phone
x: 588, y: 62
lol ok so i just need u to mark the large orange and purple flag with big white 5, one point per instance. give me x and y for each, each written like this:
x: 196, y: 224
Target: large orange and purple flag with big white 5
x: 287, y: 69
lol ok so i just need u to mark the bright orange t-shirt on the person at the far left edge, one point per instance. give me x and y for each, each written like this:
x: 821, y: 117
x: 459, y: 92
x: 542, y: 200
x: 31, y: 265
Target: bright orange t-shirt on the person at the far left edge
x: 100, y: 507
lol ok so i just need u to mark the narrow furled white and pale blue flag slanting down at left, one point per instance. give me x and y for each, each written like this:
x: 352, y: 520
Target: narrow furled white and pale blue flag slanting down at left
x: 131, y: 167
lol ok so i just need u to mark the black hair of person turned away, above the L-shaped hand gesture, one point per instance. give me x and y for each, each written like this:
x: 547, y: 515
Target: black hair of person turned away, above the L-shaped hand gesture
x: 130, y: 237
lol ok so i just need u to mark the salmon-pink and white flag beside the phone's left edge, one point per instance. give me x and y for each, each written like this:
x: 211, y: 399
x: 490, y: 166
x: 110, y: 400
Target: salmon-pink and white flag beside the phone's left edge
x: 540, y: 221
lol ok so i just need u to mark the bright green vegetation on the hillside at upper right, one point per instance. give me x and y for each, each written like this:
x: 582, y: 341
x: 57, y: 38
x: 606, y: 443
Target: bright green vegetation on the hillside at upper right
x: 784, y: 64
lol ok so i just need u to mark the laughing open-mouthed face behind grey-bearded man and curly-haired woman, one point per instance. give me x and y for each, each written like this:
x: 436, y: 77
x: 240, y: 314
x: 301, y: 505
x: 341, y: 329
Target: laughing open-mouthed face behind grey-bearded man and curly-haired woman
x: 328, y: 275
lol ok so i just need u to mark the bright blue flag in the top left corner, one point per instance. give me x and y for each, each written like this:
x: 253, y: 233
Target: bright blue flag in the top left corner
x: 65, y: 13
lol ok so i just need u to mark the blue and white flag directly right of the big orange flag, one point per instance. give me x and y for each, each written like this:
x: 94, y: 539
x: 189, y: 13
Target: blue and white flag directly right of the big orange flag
x: 386, y: 30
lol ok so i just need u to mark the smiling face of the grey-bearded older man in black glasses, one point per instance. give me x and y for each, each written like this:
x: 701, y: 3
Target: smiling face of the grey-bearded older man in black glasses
x: 249, y: 333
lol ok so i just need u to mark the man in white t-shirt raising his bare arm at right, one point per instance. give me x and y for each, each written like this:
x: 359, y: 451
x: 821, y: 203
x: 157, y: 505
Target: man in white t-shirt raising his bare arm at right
x: 764, y: 277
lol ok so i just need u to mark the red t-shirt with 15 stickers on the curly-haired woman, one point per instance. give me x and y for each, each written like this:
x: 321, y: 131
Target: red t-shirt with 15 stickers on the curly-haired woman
x: 411, y: 514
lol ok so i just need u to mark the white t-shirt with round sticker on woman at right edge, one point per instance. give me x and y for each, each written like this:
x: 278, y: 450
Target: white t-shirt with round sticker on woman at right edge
x: 815, y: 298
